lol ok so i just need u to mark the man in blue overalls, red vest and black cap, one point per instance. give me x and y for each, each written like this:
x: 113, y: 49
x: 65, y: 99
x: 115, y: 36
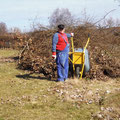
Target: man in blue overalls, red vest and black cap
x: 60, y: 52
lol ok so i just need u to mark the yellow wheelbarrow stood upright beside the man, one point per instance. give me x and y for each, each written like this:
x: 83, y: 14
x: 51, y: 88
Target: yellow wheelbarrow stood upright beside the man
x: 79, y: 60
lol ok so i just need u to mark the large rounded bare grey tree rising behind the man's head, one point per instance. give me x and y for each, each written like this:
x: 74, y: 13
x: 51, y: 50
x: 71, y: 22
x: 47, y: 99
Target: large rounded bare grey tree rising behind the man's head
x: 61, y: 16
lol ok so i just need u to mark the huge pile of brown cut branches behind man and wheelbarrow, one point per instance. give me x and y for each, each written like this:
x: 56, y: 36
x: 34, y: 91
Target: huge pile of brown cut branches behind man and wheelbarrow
x: 103, y: 49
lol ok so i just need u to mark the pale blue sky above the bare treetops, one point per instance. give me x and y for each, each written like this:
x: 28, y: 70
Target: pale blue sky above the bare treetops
x: 23, y: 13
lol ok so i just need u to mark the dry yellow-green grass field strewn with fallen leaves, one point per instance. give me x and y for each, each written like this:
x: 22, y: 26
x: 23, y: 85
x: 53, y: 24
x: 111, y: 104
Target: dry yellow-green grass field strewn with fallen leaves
x: 33, y: 97
